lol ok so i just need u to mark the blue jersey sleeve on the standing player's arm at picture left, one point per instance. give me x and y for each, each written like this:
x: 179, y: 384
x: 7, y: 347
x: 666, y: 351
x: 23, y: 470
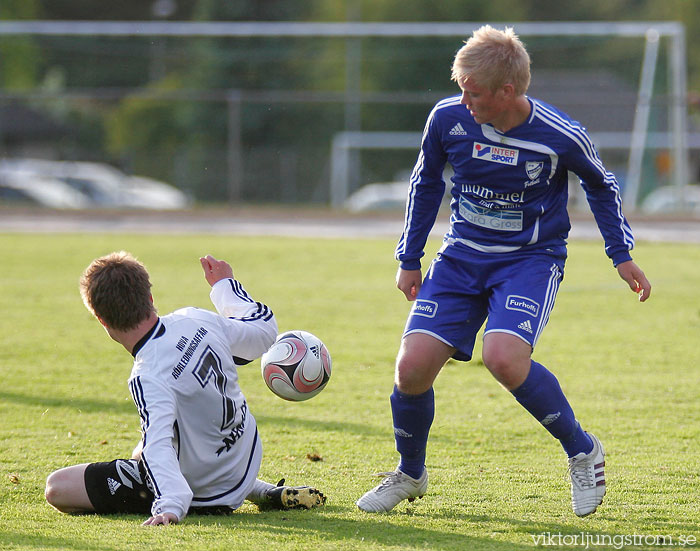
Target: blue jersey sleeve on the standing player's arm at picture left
x: 425, y: 193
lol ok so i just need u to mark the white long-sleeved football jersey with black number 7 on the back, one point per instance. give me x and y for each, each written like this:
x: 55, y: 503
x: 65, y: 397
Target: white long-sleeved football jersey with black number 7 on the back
x: 200, y: 443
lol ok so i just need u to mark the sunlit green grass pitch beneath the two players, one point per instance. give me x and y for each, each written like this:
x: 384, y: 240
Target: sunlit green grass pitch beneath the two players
x: 497, y: 478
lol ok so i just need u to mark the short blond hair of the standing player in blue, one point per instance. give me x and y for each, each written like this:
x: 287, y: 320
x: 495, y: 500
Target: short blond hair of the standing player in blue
x: 494, y: 58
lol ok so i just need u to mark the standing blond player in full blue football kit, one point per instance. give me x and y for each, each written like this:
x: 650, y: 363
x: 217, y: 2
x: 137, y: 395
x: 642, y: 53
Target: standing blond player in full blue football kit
x: 502, y: 259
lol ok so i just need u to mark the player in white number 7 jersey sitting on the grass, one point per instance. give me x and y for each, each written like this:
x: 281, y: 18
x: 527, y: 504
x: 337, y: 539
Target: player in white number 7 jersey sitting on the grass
x: 200, y: 447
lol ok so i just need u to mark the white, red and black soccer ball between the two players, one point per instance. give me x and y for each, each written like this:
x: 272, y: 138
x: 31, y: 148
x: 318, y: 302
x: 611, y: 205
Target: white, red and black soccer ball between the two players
x: 297, y: 366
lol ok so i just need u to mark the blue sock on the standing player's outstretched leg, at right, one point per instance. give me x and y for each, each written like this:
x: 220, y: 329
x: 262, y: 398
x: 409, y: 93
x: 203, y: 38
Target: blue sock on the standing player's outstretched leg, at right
x: 542, y: 396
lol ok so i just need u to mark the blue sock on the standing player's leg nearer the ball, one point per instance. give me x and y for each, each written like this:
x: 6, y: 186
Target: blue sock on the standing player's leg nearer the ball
x: 413, y: 415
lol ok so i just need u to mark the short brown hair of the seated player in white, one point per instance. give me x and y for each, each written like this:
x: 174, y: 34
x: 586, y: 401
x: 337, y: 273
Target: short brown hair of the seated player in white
x: 116, y: 289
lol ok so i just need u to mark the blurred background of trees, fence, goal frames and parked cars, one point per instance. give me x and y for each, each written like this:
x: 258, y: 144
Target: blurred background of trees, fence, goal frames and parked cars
x: 171, y: 104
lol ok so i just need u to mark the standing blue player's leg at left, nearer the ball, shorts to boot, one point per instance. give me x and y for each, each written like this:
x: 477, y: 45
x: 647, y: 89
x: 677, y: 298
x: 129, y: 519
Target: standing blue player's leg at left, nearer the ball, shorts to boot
x: 443, y: 323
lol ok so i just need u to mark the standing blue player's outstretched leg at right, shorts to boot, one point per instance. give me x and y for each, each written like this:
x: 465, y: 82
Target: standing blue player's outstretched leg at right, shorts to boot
x: 518, y: 313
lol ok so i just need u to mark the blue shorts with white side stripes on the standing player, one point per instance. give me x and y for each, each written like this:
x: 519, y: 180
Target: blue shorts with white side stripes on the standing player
x: 514, y: 291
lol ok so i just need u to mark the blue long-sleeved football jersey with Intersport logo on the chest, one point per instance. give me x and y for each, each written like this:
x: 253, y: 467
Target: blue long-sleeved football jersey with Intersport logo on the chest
x: 509, y: 189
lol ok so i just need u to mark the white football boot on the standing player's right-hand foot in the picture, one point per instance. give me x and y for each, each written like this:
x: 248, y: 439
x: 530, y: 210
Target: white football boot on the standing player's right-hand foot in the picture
x: 587, y: 473
